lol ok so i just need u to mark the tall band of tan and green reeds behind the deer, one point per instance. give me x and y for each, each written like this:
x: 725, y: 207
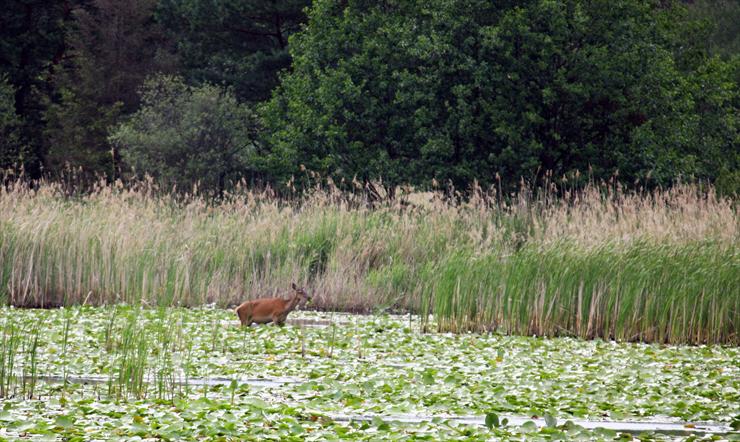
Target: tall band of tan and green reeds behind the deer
x: 601, y: 262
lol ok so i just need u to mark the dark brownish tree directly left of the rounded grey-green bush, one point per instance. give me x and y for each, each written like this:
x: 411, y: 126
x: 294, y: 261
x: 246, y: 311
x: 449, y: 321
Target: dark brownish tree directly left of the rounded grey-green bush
x: 113, y: 46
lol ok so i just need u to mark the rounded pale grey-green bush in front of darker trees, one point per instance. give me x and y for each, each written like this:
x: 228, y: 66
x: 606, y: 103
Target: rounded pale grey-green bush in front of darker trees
x: 183, y: 135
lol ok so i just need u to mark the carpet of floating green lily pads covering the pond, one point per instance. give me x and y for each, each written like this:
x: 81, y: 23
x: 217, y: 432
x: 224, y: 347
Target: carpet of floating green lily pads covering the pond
x: 179, y: 373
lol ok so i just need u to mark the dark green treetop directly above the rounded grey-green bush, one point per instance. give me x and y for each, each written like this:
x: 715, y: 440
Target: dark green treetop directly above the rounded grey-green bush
x: 235, y: 42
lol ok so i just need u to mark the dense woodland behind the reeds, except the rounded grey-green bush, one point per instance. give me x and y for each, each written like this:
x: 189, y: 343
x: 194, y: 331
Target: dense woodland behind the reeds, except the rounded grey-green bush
x: 409, y: 91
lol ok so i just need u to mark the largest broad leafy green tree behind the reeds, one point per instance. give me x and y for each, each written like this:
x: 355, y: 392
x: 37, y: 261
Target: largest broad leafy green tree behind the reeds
x: 468, y: 89
